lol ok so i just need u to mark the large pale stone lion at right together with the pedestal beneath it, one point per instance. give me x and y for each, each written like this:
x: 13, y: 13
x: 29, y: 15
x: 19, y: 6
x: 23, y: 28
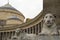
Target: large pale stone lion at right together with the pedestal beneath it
x: 49, y: 30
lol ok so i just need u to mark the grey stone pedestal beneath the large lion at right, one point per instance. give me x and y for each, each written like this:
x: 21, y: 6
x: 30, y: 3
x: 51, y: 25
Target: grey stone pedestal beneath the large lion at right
x: 49, y: 37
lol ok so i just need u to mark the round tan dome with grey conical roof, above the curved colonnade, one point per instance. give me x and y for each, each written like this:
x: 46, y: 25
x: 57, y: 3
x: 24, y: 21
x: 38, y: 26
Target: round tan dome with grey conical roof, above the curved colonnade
x: 12, y: 15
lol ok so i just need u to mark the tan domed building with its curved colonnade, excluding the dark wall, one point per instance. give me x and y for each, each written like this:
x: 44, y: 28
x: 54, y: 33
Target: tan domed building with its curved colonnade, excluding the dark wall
x: 11, y: 19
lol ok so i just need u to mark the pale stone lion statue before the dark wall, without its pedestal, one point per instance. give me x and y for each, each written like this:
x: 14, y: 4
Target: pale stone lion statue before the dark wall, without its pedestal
x: 49, y: 25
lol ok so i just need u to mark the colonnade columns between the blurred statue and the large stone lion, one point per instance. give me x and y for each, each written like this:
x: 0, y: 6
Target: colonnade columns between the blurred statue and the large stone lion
x: 34, y: 29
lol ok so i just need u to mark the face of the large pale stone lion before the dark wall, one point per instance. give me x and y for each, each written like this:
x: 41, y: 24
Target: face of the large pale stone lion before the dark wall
x: 49, y: 20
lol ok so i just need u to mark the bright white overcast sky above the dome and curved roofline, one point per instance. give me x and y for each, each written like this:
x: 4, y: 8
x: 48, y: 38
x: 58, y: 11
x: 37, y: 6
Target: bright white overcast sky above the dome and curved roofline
x: 29, y: 8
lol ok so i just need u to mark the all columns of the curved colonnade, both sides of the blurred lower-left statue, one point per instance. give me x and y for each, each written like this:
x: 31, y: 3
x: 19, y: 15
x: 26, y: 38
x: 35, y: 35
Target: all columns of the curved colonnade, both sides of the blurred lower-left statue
x: 36, y: 29
